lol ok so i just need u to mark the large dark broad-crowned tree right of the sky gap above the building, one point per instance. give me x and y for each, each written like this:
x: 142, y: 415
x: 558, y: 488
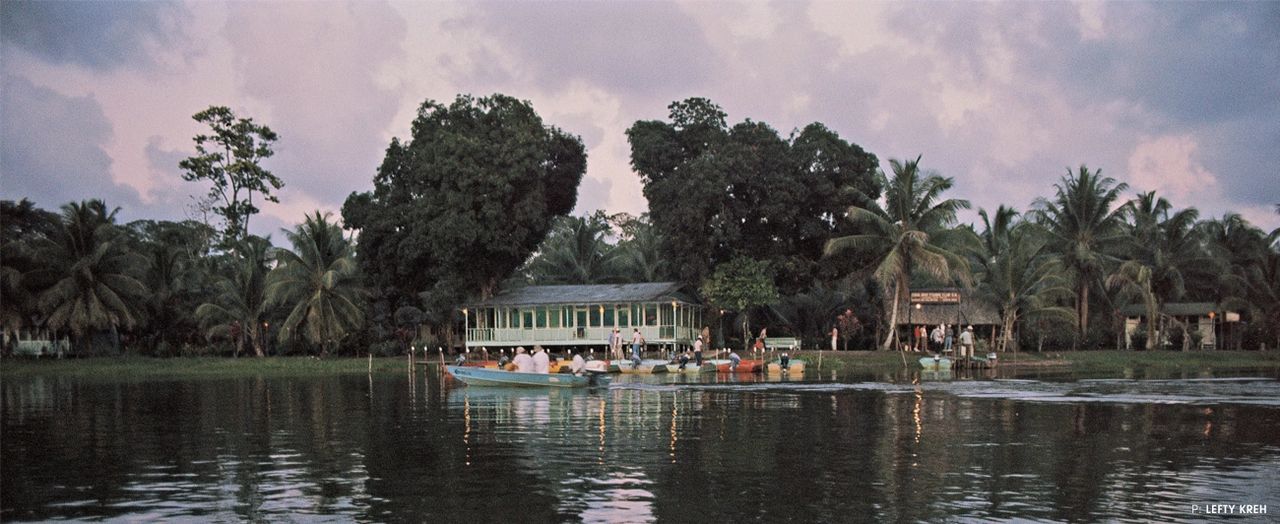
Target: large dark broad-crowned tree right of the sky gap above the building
x: 717, y: 193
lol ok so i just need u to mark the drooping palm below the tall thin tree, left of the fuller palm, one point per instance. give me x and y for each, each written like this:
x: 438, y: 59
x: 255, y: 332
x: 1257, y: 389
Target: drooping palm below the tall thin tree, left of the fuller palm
x: 239, y: 306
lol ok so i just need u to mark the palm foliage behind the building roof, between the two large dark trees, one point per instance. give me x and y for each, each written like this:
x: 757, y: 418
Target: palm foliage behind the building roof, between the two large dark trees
x: 577, y: 253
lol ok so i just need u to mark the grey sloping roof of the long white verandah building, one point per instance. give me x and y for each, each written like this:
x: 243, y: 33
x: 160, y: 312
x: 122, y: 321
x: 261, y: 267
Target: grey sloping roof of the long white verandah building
x: 591, y: 294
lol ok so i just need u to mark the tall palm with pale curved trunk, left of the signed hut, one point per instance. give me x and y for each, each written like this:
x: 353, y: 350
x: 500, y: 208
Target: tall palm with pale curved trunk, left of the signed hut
x: 907, y: 235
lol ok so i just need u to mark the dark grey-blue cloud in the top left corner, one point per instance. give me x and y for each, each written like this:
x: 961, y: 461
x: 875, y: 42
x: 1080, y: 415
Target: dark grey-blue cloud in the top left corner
x: 98, y: 35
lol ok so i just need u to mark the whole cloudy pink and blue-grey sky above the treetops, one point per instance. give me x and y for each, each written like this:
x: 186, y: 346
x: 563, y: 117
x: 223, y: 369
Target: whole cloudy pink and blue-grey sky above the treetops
x: 1005, y: 98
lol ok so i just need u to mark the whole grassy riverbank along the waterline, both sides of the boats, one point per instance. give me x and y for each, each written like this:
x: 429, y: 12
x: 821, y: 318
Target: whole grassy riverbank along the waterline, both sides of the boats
x: 1087, y: 362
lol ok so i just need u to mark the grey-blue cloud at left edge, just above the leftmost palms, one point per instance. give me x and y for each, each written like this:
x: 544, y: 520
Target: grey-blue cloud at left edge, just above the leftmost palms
x: 52, y: 148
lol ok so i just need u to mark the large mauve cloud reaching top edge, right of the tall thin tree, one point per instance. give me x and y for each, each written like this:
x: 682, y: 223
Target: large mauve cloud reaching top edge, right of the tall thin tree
x: 321, y: 72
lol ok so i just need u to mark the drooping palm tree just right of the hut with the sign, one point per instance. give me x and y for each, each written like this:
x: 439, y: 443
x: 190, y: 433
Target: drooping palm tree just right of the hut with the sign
x: 1018, y: 274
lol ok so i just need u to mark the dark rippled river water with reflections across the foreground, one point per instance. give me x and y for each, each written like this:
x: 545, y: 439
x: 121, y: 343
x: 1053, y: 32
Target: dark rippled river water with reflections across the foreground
x: 670, y: 449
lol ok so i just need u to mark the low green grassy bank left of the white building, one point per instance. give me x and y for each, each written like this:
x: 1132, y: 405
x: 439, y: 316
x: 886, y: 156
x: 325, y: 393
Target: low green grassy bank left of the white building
x: 127, y: 367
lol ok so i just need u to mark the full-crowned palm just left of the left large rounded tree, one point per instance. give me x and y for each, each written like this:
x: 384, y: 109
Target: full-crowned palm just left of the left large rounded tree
x: 318, y: 284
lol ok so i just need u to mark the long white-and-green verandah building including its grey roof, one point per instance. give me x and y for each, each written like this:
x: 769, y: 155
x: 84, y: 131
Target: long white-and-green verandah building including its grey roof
x: 580, y: 316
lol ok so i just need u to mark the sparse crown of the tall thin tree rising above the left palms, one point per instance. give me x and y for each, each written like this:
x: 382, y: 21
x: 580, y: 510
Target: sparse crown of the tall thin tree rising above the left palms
x: 230, y: 160
